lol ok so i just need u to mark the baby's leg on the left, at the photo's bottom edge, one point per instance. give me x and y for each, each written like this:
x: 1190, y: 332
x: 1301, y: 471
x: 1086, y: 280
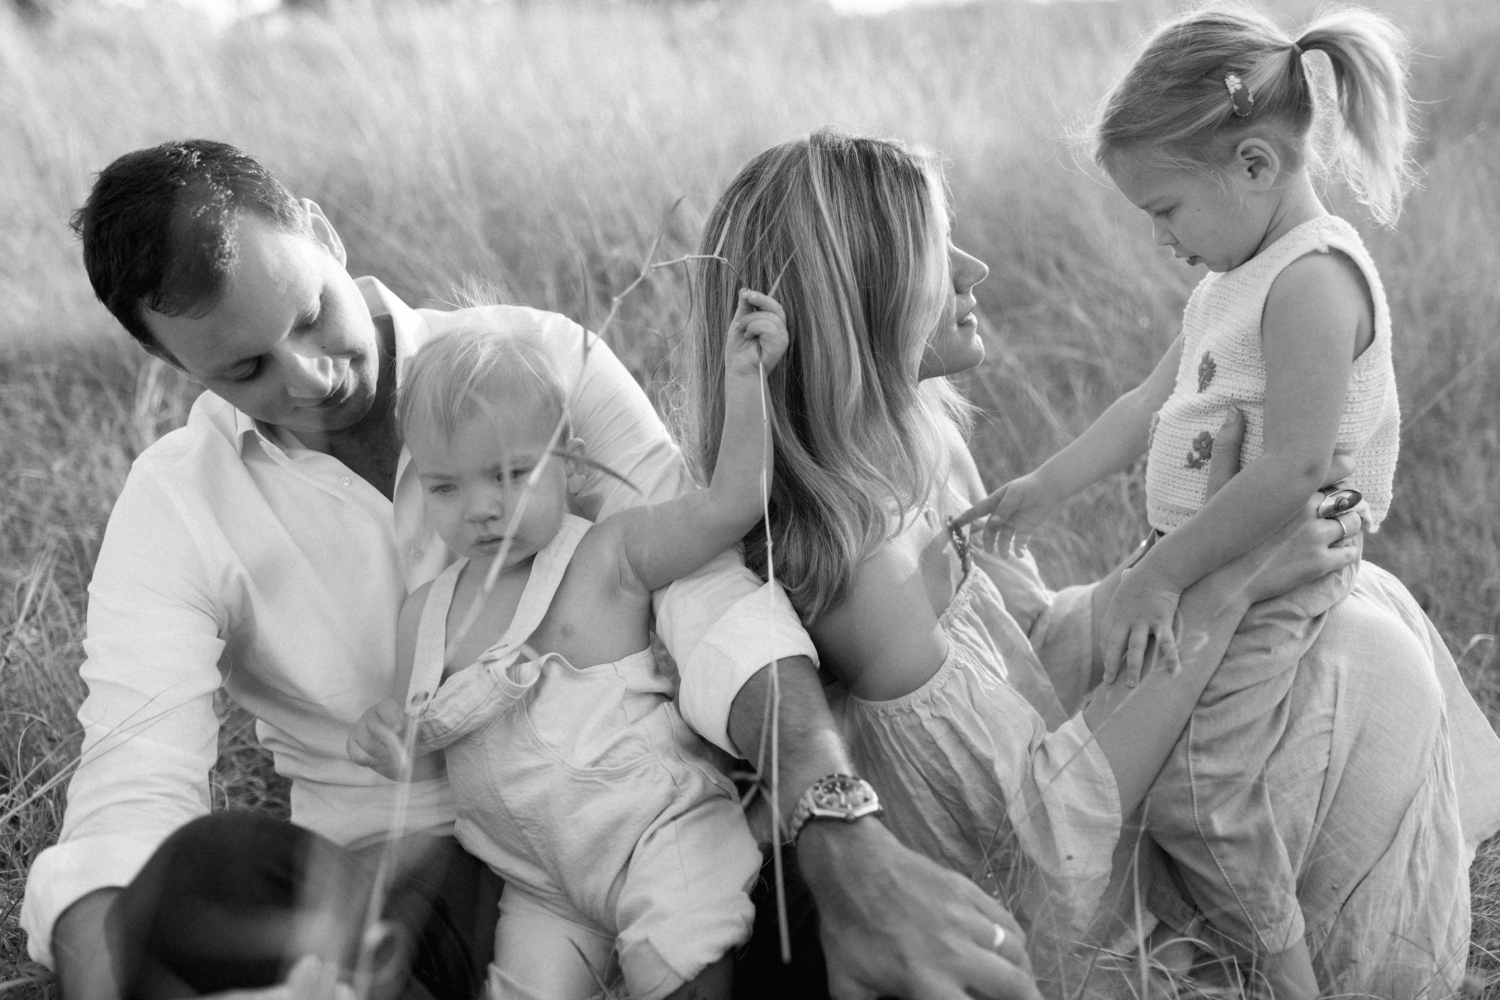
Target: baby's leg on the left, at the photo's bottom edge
x: 542, y: 954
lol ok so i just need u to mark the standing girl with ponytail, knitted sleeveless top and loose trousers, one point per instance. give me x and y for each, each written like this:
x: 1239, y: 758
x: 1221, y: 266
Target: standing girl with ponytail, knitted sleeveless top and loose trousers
x: 1210, y: 136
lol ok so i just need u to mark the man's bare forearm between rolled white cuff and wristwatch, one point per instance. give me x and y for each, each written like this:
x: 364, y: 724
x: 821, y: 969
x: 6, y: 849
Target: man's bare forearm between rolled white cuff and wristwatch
x: 809, y: 744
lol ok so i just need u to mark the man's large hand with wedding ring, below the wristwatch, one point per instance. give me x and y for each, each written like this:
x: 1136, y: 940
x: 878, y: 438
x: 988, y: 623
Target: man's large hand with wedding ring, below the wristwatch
x: 896, y: 924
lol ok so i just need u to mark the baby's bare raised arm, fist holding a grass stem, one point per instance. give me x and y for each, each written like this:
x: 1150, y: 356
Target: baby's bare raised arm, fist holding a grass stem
x: 665, y: 542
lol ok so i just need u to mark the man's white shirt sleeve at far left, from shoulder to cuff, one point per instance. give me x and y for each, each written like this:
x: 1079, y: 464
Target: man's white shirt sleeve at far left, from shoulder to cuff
x: 151, y: 732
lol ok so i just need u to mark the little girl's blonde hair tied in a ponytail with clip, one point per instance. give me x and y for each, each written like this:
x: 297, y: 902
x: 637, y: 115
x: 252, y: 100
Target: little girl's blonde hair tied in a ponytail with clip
x: 1175, y: 104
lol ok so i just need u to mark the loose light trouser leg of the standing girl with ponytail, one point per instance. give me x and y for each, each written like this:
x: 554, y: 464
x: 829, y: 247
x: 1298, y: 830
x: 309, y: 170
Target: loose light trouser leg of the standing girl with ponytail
x: 1210, y: 809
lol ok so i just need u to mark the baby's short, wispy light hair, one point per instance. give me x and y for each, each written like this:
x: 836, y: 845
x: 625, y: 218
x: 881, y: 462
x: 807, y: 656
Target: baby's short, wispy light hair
x: 458, y: 374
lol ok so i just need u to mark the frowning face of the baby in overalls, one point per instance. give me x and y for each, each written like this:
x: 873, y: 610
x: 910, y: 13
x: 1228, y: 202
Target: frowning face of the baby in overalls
x: 475, y: 482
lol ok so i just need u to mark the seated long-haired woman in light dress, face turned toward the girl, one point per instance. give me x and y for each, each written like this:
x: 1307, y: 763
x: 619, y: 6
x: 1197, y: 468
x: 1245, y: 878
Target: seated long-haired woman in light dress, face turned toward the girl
x: 958, y: 671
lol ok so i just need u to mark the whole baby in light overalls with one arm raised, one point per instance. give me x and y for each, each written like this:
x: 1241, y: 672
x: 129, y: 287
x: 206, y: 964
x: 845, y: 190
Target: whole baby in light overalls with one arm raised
x: 575, y: 776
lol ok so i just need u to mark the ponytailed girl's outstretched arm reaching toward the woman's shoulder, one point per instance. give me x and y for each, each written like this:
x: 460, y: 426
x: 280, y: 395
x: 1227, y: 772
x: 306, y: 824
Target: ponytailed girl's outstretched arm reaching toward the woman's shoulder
x: 1111, y: 445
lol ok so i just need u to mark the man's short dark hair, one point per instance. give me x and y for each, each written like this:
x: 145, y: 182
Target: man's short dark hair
x: 160, y: 227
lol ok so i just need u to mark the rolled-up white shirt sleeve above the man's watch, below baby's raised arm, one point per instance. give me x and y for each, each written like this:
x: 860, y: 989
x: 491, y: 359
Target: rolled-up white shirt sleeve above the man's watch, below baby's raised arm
x: 730, y: 626
